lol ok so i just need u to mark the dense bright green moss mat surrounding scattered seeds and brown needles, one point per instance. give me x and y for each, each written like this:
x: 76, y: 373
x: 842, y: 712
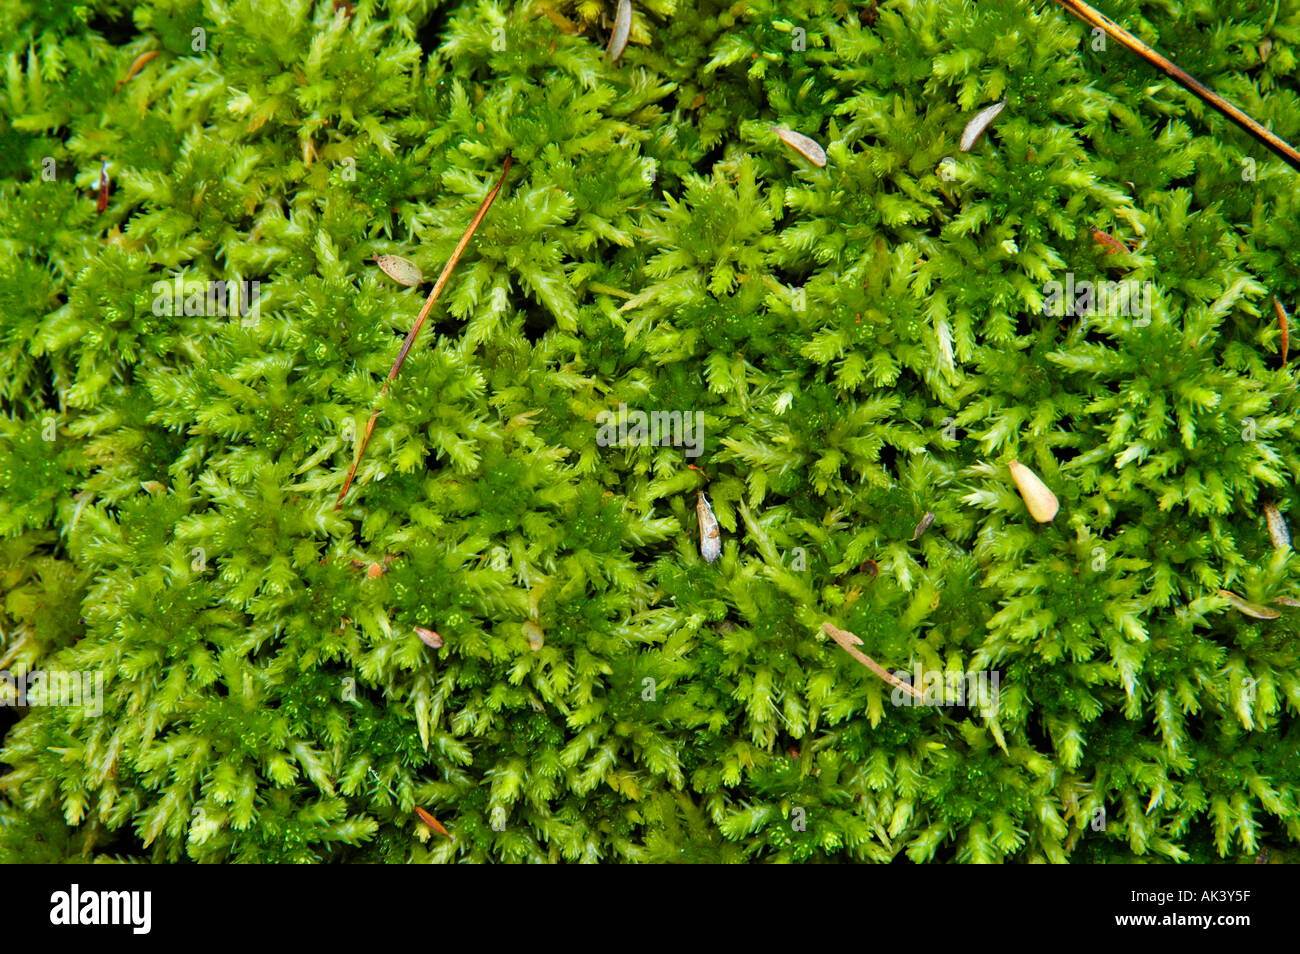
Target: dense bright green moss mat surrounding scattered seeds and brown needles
x: 866, y: 342
